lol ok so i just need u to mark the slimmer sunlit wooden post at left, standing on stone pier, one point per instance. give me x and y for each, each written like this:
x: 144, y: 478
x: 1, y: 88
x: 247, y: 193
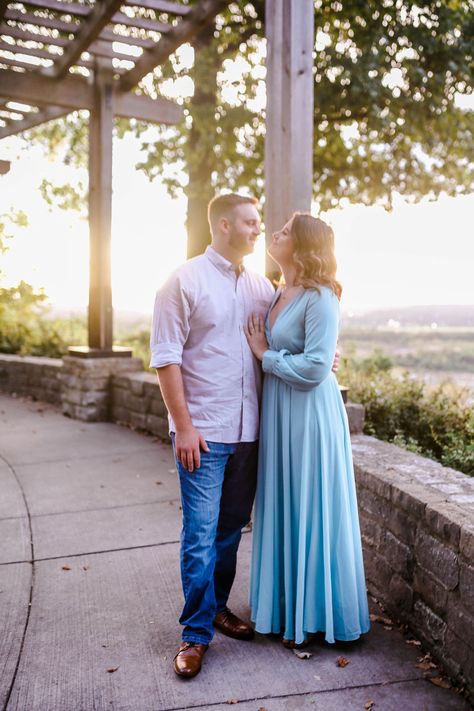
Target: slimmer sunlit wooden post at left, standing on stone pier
x: 100, y: 208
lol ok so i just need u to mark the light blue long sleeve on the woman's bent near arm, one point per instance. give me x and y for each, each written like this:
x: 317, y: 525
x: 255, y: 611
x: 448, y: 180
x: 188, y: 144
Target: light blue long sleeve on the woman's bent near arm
x: 304, y: 371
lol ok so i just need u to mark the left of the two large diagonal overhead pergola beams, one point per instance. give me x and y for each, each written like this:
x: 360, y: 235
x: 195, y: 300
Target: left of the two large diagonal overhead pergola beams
x: 91, y: 28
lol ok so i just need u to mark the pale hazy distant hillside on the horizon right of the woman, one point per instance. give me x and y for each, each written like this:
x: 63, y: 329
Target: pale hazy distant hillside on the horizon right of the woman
x: 442, y: 316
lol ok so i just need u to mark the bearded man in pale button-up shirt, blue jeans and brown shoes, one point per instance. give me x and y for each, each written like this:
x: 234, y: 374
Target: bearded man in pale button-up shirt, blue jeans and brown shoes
x: 211, y: 384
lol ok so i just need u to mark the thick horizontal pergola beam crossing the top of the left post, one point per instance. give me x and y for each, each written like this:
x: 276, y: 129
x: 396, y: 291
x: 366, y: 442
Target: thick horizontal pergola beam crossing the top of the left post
x: 76, y: 93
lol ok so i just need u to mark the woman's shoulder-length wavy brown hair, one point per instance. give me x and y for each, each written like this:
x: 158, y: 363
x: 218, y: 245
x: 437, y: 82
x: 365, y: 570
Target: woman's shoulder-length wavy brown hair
x: 314, y: 253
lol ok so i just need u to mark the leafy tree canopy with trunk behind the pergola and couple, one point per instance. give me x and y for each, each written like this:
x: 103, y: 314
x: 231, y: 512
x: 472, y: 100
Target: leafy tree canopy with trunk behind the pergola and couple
x: 388, y: 77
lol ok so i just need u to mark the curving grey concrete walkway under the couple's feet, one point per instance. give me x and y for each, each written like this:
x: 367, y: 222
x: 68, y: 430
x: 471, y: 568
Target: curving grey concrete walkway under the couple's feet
x: 91, y: 624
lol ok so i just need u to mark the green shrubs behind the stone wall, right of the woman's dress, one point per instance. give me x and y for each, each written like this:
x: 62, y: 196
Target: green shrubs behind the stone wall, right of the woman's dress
x: 436, y: 422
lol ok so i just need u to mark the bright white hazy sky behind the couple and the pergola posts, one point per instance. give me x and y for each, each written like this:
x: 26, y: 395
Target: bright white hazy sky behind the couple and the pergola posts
x: 418, y: 254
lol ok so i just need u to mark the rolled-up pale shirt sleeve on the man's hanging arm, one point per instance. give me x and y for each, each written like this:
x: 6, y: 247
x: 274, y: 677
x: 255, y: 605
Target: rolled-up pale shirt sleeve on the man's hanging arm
x: 170, y: 326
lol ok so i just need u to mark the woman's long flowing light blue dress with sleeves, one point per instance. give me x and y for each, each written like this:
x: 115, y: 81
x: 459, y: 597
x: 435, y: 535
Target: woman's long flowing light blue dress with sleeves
x: 307, y: 571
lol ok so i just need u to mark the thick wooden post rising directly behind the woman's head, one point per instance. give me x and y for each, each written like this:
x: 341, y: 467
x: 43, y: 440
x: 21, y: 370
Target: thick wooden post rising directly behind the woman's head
x: 289, y: 116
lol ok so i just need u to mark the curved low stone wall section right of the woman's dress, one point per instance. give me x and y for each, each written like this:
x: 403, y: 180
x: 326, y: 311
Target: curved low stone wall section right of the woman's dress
x: 417, y: 521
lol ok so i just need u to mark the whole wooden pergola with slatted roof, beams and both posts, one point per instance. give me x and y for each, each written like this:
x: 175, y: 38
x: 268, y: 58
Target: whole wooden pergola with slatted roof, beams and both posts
x: 58, y: 56
